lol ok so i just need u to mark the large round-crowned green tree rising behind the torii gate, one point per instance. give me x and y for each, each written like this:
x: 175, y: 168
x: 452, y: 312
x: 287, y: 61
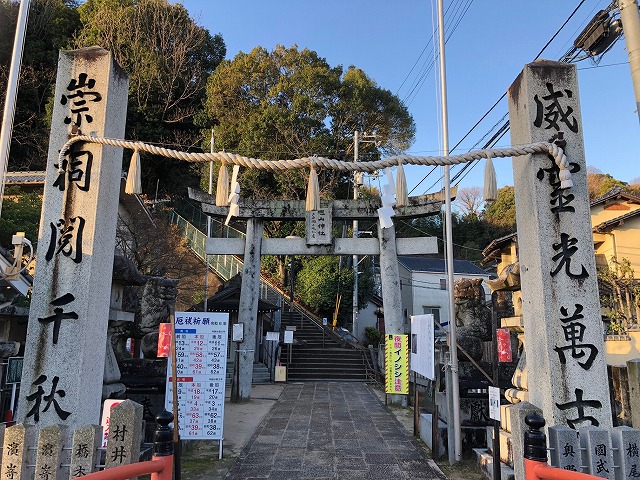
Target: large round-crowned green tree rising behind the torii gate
x: 290, y: 103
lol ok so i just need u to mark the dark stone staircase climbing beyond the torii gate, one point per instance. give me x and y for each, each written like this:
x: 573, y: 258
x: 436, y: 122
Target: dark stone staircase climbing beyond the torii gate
x: 317, y: 355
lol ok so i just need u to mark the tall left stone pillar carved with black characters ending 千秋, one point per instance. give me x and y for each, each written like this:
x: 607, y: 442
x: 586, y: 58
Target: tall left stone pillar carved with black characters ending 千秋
x: 64, y: 353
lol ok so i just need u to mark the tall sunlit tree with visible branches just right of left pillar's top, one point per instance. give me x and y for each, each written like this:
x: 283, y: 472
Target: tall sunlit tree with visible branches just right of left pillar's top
x: 168, y: 58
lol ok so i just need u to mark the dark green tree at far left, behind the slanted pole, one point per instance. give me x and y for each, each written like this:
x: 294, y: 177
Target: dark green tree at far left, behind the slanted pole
x: 51, y: 24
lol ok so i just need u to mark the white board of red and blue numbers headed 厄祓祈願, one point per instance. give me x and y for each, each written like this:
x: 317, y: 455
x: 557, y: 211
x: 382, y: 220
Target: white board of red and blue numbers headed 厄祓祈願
x: 201, y: 363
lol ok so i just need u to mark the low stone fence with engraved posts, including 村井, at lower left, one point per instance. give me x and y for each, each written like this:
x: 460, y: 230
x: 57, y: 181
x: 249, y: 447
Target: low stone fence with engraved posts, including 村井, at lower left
x: 56, y: 453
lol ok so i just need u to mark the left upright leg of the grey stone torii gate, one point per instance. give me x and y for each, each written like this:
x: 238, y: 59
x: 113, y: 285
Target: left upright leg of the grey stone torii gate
x: 248, y: 308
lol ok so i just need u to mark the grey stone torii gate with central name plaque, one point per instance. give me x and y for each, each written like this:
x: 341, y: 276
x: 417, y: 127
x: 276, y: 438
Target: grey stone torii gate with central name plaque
x: 318, y: 241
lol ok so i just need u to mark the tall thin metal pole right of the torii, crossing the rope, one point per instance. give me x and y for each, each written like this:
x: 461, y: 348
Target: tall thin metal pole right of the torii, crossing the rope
x: 449, y: 250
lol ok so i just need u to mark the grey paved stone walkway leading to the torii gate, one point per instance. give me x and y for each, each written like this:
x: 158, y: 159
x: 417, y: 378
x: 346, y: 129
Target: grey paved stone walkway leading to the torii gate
x: 332, y: 430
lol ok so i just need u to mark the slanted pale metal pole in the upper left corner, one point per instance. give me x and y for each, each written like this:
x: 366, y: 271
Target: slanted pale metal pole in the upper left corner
x: 12, y: 92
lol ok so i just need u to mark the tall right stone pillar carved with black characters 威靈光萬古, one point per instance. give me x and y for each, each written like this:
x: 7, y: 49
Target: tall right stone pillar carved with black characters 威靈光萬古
x: 561, y: 308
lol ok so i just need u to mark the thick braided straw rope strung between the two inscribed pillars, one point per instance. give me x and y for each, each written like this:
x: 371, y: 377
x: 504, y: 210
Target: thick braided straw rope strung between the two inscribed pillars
x: 321, y: 162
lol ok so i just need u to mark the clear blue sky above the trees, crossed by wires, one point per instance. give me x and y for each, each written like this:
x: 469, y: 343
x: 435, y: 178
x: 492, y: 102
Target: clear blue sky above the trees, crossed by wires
x: 487, y: 48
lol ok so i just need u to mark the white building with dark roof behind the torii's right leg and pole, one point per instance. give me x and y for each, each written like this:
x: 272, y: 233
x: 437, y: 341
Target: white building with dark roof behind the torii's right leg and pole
x: 424, y: 289
